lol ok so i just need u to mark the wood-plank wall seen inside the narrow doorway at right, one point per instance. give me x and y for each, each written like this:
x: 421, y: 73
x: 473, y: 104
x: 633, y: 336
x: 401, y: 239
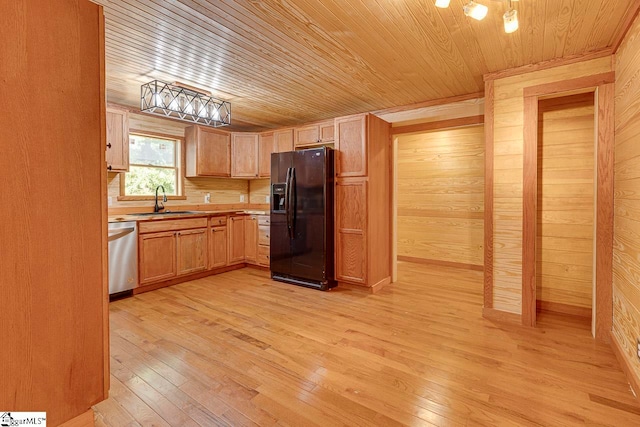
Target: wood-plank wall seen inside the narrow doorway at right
x: 564, y: 255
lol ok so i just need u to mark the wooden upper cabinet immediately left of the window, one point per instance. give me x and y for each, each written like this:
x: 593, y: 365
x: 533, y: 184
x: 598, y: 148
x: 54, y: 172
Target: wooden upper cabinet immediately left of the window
x: 117, y: 140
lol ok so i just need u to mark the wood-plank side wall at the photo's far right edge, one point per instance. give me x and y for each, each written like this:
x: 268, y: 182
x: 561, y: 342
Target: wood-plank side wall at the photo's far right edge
x: 626, y: 246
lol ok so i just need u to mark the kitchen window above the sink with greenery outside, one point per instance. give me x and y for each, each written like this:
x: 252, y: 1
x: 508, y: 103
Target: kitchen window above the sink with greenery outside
x: 153, y: 161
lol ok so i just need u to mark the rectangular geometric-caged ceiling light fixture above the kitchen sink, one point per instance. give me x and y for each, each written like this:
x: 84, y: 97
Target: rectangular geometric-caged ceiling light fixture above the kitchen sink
x: 184, y: 103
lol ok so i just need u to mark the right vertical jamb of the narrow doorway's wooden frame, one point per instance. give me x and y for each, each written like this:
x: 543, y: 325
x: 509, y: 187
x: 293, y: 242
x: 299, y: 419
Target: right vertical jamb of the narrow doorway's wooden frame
x: 604, y: 211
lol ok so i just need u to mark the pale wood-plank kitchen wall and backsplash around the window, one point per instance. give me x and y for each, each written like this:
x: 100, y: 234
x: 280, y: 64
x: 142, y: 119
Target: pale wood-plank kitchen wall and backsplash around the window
x: 222, y: 190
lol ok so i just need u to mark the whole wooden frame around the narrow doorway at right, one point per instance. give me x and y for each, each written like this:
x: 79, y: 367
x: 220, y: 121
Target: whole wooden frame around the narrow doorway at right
x: 602, y: 85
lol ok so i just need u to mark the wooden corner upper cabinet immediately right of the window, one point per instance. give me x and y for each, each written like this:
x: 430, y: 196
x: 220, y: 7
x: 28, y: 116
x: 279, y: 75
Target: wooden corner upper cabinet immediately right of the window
x: 208, y: 152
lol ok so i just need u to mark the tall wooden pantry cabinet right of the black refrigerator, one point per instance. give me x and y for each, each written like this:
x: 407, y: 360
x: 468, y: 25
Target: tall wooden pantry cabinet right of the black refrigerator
x: 363, y: 200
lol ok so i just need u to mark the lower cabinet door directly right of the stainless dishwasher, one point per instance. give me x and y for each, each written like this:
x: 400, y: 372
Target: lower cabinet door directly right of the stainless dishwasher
x: 157, y: 252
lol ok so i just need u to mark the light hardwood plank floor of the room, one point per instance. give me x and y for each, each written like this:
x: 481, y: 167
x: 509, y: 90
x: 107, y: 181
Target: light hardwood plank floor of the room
x: 238, y: 349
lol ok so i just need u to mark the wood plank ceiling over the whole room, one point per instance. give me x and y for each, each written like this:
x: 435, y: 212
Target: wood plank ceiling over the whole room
x: 284, y: 63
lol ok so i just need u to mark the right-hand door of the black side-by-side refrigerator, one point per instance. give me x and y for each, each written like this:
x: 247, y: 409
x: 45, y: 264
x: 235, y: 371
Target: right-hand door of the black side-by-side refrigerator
x: 308, y: 220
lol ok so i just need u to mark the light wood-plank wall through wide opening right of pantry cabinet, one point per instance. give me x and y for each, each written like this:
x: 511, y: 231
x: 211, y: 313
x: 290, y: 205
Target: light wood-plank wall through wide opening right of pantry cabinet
x: 441, y: 196
